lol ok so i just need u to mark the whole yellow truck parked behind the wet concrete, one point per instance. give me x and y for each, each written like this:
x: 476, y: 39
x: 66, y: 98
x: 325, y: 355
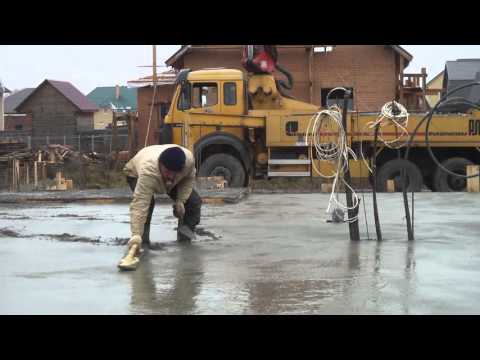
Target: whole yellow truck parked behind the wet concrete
x: 243, y: 127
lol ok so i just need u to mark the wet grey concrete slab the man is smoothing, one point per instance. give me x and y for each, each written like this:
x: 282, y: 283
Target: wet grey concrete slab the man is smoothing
x: 269, y: 254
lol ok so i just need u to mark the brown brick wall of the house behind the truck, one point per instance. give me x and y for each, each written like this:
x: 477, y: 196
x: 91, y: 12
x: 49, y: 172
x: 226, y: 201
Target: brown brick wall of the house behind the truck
x: 369, y: 69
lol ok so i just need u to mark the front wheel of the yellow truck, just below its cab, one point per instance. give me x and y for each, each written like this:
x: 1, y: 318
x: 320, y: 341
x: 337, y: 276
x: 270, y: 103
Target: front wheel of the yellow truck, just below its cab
x: 224, y: 165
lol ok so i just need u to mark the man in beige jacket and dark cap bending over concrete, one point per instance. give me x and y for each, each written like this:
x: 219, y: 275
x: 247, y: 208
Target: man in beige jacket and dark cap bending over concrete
x: 161, y: 169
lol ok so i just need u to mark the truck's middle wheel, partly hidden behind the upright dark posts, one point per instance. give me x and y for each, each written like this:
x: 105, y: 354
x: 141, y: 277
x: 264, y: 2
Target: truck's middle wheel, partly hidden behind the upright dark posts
x: 391, y: 170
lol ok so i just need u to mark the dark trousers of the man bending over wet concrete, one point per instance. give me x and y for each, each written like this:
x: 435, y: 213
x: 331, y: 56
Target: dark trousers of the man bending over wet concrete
x: 192, y: 209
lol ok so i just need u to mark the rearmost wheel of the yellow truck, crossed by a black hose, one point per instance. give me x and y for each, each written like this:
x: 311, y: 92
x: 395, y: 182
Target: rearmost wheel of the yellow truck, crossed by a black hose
x: 444, y: 182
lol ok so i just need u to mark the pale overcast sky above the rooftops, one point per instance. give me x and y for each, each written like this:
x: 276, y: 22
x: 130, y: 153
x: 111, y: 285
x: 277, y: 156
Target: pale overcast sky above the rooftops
x: 96, y: 65
